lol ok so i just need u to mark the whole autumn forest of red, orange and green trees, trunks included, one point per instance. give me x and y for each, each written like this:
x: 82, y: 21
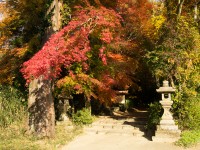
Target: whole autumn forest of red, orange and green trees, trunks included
x: 89, y: 49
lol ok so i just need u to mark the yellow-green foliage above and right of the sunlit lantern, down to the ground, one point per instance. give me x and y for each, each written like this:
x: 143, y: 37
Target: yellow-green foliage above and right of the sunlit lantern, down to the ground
x: 176, y: 57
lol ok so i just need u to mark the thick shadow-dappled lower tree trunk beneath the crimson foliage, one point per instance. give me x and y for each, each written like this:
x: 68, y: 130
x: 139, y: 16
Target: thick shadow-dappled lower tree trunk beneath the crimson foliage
x: 41, y: 119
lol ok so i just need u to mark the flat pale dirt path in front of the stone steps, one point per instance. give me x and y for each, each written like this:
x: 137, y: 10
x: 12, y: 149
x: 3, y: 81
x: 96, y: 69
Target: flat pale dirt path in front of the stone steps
x: 116, y: 142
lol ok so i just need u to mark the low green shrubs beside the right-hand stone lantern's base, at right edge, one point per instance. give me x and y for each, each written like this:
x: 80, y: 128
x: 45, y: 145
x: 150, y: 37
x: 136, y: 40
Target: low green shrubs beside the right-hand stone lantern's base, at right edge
x: 190, y: 122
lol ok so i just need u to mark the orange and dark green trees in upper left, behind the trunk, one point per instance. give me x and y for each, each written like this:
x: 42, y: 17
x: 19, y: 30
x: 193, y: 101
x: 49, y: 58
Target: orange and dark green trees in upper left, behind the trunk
x: 21, y: 36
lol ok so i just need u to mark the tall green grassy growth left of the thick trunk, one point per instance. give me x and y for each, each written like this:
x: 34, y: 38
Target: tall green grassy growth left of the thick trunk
x: 11, y: 108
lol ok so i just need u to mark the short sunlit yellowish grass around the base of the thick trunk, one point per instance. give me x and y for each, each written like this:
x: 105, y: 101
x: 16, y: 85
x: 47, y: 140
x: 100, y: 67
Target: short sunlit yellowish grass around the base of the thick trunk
x: 14, y: 137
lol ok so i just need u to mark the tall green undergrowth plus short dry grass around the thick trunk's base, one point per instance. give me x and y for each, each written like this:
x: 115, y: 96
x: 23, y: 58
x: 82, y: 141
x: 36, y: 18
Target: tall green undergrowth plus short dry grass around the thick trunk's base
x: 13, y: 120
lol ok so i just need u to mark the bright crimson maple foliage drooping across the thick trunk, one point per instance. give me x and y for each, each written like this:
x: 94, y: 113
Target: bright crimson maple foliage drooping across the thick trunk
x: 71, y: 44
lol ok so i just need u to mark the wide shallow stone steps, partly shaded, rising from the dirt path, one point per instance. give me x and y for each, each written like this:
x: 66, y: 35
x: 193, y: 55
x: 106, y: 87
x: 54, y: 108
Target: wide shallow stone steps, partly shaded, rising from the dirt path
x: 120, y: 123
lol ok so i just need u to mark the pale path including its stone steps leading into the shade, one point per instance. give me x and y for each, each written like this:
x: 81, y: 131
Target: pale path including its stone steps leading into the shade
x: 119, y: 132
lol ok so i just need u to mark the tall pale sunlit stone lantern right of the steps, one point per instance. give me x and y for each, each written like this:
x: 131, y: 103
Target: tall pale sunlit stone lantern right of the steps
x: 167, y: 130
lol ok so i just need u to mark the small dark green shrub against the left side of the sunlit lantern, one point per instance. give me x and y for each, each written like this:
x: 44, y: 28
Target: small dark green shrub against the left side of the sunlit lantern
x: 155, y: 113
